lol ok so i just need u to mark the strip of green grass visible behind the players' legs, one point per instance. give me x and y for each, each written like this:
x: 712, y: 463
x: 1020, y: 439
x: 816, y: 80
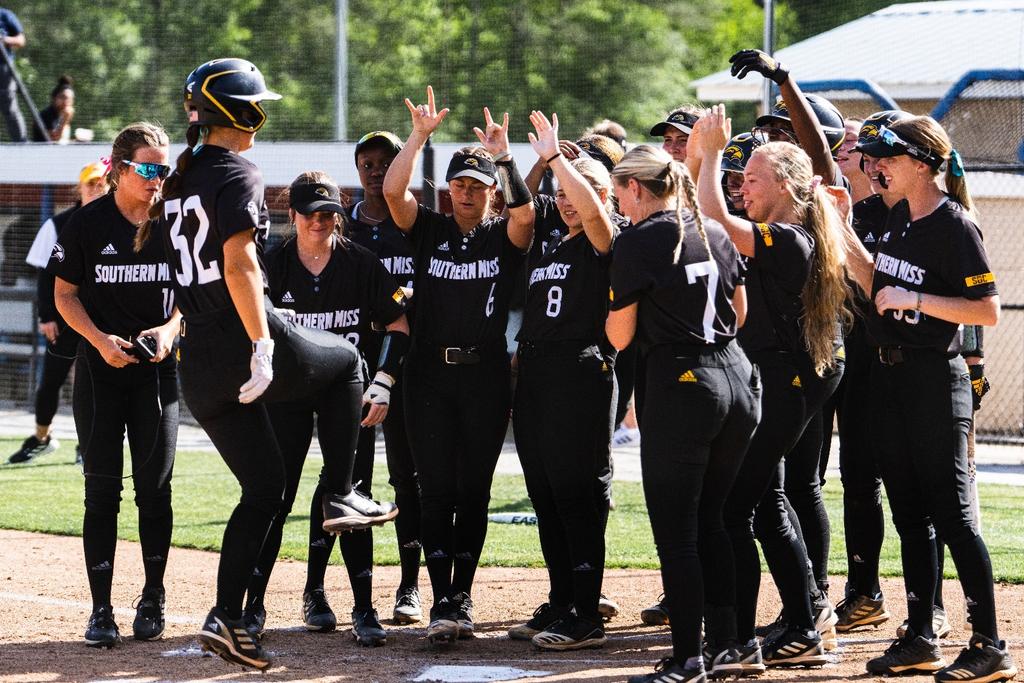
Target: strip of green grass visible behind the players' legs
x: 47, y: 496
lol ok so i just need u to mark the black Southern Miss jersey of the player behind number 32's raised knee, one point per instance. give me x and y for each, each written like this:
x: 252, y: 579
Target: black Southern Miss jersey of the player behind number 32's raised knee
x: 353, y: 291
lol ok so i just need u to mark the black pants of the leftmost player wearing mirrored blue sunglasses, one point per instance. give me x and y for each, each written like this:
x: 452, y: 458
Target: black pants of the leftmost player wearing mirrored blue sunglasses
x: 143, y: 401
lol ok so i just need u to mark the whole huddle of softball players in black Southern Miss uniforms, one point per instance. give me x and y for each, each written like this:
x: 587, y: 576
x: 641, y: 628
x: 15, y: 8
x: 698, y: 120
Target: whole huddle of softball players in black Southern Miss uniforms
x: 745, y: 289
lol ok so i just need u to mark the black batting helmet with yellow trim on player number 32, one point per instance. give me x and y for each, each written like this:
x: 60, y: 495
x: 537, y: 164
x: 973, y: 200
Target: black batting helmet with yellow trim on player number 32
x: 227, y: 93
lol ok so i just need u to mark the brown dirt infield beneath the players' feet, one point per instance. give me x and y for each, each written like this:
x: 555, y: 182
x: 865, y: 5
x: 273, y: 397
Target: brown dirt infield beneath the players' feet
x: 45, y: 605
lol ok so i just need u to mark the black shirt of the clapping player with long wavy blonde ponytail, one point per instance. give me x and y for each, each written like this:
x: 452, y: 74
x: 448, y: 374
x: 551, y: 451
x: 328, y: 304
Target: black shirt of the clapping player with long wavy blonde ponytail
x: 776, y: 278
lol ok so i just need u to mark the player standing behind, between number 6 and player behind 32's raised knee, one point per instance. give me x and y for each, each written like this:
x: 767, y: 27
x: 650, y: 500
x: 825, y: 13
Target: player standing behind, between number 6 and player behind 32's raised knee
x: 369, y: 225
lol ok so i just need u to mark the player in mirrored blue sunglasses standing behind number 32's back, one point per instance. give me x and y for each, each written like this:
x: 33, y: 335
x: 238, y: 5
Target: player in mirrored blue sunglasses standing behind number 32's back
x: 121, y: 304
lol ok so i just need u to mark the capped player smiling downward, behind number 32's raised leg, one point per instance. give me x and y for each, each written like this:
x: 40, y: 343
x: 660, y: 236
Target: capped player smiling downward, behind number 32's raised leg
x: 330, y: 284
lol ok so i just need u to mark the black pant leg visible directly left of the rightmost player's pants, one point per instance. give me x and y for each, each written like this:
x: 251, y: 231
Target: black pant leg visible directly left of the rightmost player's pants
x: 864, y: 520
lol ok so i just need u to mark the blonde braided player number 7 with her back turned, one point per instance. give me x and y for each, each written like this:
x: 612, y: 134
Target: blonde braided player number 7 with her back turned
x: 676, y: 285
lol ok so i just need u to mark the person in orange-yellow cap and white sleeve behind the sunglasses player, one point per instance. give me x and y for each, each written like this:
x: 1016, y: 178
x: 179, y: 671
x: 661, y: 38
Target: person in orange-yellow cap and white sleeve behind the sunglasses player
x: 62, y: 340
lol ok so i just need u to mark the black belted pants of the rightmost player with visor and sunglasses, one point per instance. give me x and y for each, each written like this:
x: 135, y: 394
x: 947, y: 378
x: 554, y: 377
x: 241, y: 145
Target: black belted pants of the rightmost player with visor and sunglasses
x: 923, y: 412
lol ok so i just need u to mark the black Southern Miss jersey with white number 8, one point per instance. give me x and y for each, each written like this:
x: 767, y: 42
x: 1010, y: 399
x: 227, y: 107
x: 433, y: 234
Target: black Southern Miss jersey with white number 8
x: 567, y: 296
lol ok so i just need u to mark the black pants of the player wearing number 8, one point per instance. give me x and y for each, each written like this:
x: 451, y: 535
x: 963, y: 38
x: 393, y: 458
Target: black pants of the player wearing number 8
x: 563, y: 423
